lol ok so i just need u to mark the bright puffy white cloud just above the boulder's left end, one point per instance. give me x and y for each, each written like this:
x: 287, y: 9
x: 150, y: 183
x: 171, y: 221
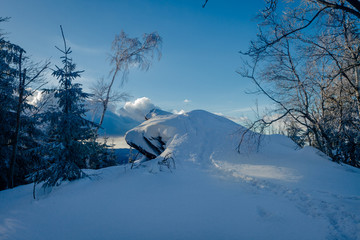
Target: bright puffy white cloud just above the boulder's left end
x: 137, y: 109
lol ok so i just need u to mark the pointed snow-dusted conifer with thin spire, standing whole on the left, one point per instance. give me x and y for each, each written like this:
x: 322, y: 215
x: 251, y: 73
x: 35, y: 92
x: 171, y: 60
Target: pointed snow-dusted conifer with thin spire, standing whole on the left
x: 70, y: 143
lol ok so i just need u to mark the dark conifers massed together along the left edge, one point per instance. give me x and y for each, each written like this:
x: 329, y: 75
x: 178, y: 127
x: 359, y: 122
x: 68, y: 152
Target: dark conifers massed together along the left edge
x: 44, y: 146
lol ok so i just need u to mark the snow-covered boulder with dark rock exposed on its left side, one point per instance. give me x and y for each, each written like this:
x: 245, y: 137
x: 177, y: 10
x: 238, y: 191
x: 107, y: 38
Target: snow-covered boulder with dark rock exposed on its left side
x: 196, y: 136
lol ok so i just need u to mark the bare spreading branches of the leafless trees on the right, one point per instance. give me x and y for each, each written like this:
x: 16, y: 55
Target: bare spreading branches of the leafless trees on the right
x: 306, y: 60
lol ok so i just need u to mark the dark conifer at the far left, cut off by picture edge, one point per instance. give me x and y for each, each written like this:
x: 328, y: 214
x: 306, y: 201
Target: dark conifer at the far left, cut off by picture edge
x: 17, y: 129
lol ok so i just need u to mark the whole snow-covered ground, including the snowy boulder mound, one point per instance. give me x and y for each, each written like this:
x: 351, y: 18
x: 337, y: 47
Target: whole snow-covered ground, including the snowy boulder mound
x: 210, y: 191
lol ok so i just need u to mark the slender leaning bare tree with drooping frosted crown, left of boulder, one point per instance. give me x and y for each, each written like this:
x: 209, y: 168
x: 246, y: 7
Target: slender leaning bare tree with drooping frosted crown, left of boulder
x: 129, y: 53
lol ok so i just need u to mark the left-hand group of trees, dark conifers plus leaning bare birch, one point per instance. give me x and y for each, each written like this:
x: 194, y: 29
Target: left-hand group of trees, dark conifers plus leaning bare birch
x: 53, y: 140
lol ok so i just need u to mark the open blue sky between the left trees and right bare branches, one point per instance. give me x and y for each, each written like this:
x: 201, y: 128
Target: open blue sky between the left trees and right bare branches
x: 199, y: 54
